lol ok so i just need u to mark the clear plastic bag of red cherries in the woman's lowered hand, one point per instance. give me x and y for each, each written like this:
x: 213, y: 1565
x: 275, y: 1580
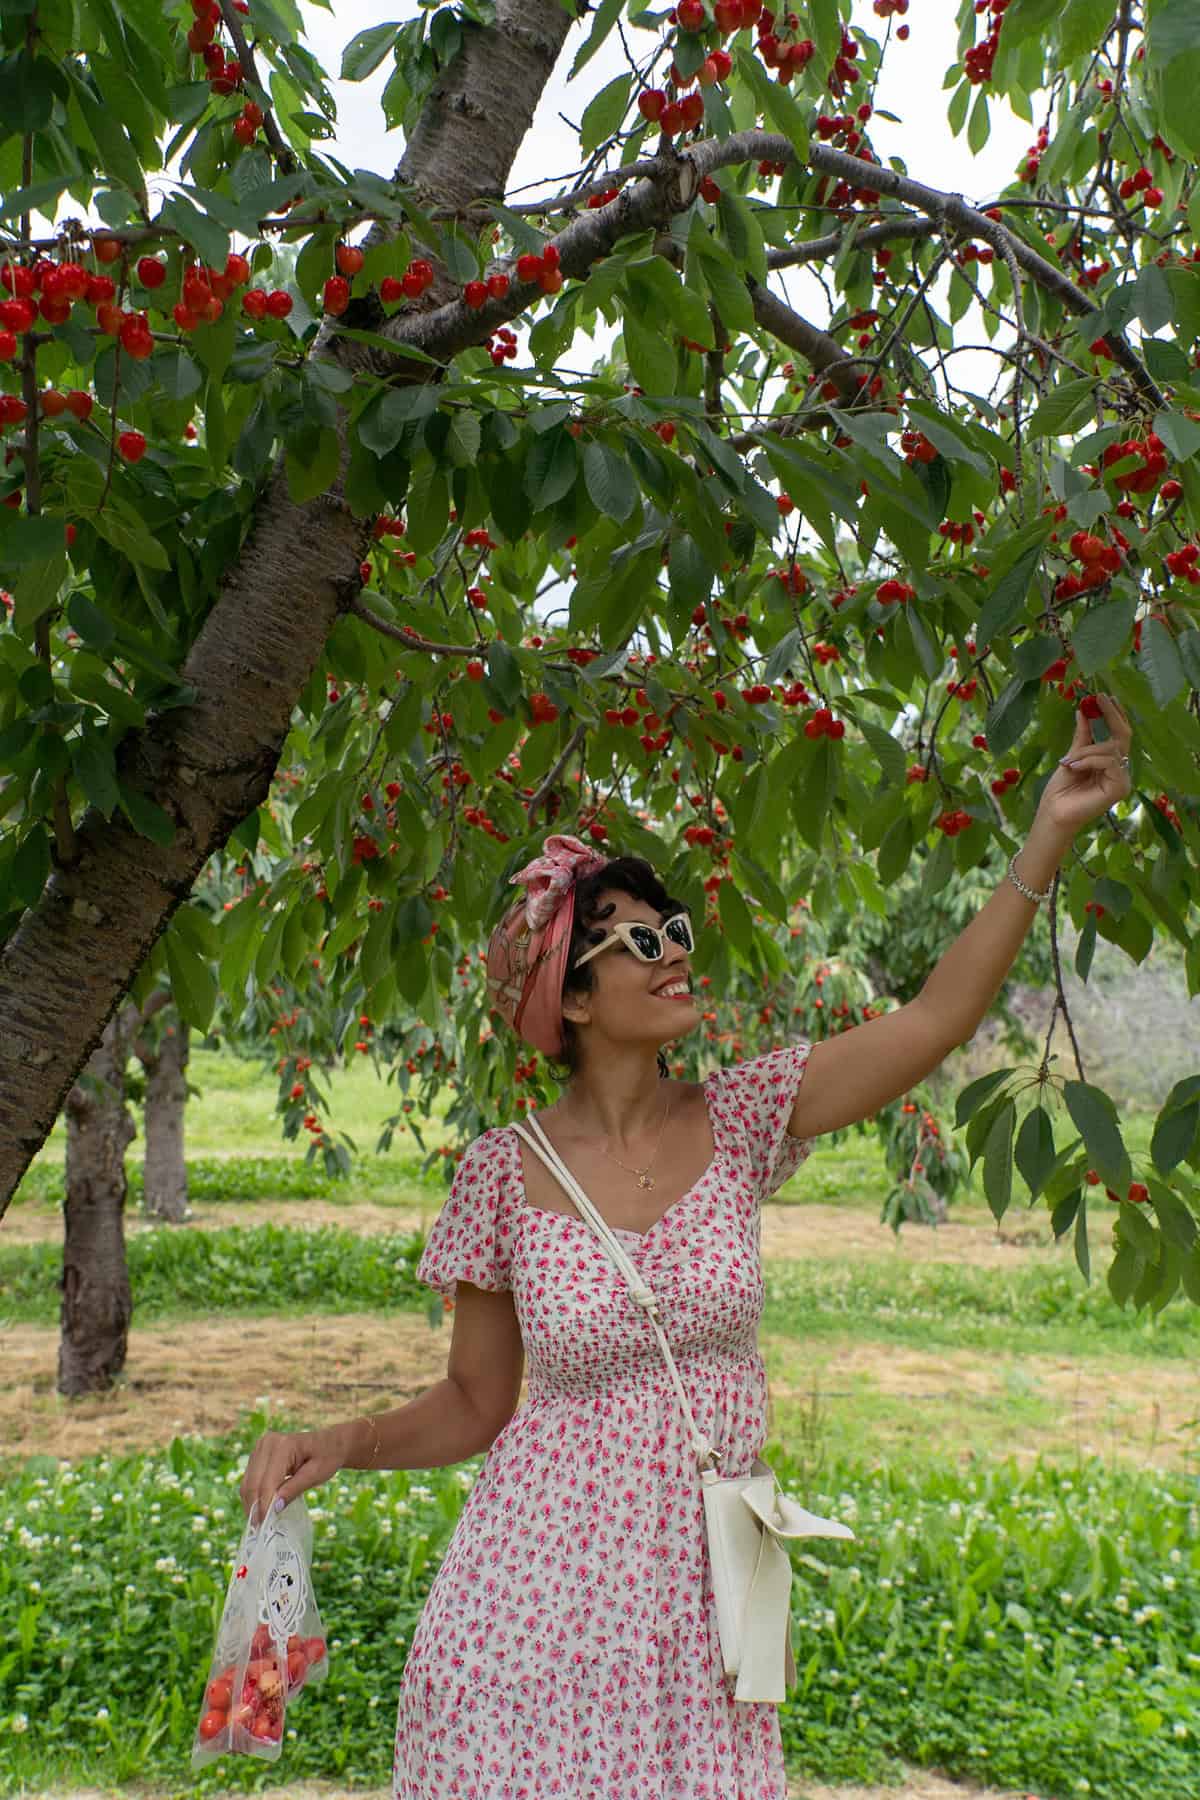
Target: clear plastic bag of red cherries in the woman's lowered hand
x: 271, y: 1642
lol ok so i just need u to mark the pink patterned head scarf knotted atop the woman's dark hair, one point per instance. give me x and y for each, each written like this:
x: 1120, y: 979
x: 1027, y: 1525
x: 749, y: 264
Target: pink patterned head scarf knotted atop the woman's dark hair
x: 528, y: 949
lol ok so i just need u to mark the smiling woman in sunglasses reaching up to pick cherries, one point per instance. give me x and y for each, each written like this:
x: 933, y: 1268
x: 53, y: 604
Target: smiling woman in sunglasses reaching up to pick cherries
x: 569, y: 1642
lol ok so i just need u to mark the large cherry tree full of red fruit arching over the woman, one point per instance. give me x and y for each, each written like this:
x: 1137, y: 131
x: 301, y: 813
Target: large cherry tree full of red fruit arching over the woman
x: 613, y: 593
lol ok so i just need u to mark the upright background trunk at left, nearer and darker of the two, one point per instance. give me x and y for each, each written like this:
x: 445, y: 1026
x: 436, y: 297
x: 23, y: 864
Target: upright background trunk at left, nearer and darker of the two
x: 98, y: 1304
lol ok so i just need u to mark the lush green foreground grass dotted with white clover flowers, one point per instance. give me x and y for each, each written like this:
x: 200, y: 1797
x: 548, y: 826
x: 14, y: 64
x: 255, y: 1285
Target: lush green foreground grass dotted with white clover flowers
x: 1030, y: 1628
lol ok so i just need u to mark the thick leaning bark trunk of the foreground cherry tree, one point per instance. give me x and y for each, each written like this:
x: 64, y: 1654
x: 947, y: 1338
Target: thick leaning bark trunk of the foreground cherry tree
x: 210, y: 766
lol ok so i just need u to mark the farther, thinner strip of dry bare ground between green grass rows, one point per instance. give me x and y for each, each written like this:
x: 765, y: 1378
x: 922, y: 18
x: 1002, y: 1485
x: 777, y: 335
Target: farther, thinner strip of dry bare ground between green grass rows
x: 800, y: 1232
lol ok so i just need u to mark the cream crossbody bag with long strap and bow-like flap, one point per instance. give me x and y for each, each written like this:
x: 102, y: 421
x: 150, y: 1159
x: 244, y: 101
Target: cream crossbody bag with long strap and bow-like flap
x: 748, y: 1518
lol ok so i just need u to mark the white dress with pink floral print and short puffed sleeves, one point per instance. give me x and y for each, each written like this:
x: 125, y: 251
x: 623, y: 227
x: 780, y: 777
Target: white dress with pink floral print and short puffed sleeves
x: 569, y: 1642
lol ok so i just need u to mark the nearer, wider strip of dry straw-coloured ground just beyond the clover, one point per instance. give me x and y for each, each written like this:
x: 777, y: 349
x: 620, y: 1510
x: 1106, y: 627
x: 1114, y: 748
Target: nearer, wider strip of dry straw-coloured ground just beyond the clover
x: 204, y: 1376
